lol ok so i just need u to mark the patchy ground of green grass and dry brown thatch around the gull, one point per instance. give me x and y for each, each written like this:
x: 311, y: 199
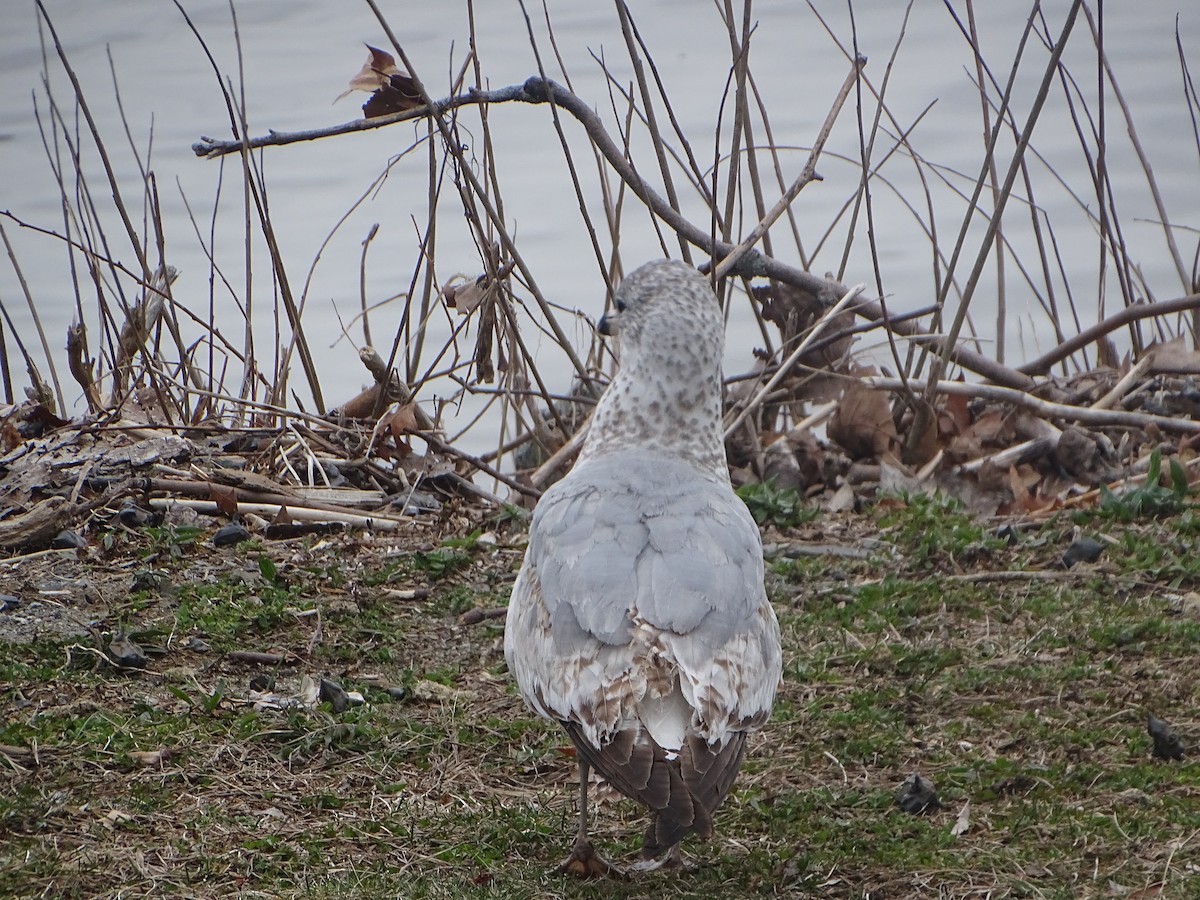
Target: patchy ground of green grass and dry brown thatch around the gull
x: 332, y: 717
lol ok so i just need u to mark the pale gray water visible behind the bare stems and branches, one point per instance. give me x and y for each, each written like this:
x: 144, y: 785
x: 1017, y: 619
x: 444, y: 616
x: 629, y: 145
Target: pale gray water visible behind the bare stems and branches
x: 299, y: 55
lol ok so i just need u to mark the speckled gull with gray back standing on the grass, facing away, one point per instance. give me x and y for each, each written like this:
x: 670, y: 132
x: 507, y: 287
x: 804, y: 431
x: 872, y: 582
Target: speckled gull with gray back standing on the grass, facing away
x: 639, y: 620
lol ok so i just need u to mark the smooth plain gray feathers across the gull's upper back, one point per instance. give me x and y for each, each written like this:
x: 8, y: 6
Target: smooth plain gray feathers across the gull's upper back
x: 638, y: 532
